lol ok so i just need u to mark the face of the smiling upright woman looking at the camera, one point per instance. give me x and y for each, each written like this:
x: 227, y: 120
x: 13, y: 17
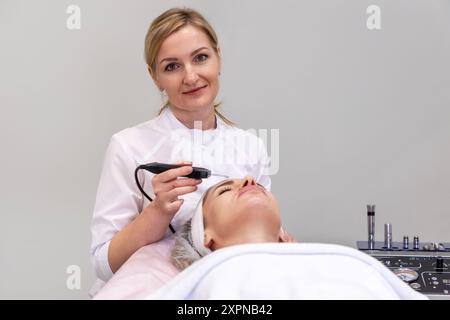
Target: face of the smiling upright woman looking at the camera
x: 187, y: 61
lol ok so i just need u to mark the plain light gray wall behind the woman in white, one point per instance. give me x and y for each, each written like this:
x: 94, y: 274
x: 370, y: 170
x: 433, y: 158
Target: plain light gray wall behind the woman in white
x: 363, y: 118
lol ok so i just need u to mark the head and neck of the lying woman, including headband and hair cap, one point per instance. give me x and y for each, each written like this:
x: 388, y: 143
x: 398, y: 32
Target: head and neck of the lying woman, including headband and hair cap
x: 232, y: 212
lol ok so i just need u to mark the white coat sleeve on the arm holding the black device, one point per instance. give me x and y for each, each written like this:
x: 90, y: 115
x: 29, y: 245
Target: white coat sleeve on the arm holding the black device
x: 117, y: 203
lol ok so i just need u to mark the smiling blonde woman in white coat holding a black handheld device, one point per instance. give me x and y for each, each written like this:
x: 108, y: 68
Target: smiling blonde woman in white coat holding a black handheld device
x: 184, y: 61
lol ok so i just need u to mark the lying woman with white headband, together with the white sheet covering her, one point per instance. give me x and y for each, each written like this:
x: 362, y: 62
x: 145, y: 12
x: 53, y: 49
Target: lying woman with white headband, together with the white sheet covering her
x: 231, y: 249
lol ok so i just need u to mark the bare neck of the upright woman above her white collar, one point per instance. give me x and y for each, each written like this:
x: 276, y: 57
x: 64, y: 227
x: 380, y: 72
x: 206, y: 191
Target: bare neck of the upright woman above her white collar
x: 206, y: 117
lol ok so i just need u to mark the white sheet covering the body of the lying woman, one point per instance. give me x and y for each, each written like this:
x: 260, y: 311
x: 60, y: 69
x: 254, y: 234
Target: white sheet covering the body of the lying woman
x: 287, y: 271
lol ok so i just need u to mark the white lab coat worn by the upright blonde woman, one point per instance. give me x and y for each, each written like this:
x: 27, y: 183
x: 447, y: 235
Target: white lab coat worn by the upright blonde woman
x: 225, y: 150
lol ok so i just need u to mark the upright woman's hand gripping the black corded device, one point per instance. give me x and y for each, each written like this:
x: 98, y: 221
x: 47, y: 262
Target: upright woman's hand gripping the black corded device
x: 168, y: 186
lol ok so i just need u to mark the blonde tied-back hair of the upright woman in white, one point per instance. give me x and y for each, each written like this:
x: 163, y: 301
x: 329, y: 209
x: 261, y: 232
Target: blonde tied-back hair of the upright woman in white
x: 168, y: 23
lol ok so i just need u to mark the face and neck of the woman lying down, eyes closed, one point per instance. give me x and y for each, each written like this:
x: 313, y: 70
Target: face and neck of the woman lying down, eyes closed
x: 240, y: 211
